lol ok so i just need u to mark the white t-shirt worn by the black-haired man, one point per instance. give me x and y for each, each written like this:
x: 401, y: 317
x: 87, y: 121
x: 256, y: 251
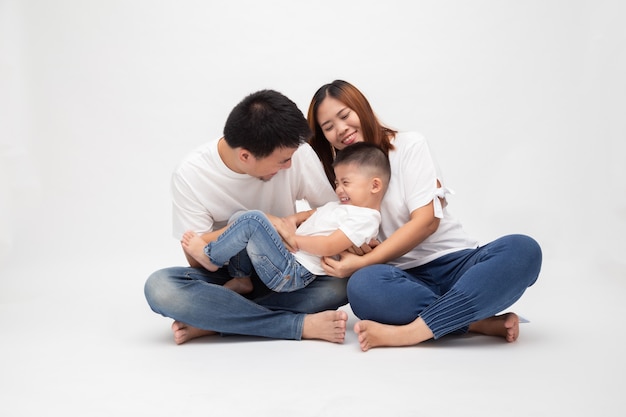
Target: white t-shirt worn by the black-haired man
x: 206, y: 193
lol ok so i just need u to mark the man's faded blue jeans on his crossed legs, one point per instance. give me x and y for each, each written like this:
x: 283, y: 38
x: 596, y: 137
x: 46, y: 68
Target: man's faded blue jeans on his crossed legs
x: 196, y: 297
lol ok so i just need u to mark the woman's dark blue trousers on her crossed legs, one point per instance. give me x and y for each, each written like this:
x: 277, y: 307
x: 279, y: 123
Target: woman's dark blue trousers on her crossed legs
x: 451, y: 292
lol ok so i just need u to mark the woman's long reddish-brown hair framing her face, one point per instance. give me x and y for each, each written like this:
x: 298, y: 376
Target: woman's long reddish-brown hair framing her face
x: 373, y: 131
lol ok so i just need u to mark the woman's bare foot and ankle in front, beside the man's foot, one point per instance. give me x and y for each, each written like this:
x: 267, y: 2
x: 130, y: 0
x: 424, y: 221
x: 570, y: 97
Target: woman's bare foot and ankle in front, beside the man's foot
x: 373, y: 334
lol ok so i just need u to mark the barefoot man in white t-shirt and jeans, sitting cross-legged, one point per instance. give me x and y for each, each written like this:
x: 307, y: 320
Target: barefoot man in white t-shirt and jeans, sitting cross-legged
x: 261, y: 163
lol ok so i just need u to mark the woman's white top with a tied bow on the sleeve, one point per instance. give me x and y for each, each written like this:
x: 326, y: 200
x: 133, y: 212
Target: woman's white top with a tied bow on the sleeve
x: 413, y: 184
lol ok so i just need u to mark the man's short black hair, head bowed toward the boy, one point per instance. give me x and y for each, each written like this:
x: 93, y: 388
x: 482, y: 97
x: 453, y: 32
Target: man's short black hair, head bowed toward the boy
x: 265, y: 121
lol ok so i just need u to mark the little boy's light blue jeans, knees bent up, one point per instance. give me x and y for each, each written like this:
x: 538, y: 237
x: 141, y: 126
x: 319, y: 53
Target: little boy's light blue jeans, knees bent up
x: 251, y: 243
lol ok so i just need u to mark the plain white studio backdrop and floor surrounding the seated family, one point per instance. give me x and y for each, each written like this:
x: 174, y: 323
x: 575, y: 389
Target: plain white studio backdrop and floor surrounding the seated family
x: 522, y: 101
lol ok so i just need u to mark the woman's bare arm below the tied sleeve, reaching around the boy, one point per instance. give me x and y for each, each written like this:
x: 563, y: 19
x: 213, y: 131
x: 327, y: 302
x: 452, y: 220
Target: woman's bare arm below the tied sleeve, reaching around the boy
x: 421, y: 225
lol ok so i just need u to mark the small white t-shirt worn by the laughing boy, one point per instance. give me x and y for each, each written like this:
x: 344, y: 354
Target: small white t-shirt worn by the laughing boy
x: 359, y: 224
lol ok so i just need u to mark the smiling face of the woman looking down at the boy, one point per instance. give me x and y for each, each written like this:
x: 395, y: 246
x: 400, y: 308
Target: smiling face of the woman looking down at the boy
x: 340, y: 124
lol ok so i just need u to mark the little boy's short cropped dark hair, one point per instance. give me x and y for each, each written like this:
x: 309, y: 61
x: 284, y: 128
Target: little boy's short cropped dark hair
x: 366, y: 155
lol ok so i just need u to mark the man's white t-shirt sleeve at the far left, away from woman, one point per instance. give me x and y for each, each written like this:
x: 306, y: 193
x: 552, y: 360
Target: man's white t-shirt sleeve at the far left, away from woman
x: 187, y: 211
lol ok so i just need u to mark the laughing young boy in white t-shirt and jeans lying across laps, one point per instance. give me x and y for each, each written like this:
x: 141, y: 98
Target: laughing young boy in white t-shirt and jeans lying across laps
x: 251, y: 241
